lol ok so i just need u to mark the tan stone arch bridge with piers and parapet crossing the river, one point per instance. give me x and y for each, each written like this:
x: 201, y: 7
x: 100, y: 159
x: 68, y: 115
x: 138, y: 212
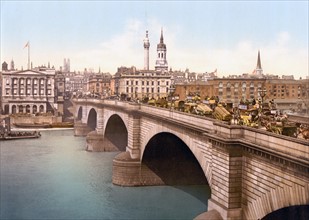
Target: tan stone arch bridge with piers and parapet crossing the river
x: 251, y: 172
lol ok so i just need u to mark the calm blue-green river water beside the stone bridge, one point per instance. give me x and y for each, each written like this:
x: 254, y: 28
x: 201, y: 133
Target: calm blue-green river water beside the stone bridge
x: 53, y: 177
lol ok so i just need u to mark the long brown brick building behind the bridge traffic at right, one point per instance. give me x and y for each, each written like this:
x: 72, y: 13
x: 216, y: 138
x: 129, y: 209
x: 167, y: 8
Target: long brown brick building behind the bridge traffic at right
x: 288, y: 94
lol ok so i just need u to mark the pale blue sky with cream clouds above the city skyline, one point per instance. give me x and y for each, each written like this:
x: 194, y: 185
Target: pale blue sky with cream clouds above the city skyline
x: 199, y: 35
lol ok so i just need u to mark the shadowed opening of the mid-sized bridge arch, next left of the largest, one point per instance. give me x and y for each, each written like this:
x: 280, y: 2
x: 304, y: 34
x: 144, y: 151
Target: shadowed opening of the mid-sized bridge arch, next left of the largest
x: 116, y: 132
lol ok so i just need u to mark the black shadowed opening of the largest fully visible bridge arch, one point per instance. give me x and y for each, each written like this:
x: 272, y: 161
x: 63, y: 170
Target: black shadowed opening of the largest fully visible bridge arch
x: 172, y: 160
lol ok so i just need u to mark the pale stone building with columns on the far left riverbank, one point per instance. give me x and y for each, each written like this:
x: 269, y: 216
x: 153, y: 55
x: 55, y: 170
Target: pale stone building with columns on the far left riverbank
x: 28, y: 91
